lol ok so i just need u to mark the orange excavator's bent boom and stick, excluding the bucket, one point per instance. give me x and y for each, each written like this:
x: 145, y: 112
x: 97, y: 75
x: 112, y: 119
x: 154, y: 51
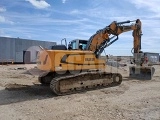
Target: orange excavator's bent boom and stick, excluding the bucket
x: 108, y: 35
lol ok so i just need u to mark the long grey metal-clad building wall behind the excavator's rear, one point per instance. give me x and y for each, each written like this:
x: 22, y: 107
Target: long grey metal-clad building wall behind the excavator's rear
x: 13, y: 48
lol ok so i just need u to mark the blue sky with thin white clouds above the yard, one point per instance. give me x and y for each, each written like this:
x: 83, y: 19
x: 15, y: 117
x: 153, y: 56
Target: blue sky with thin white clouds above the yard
x: 53, y: 20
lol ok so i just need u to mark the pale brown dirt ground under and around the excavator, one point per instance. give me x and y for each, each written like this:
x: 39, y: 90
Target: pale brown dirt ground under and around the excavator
x: 23, y: 98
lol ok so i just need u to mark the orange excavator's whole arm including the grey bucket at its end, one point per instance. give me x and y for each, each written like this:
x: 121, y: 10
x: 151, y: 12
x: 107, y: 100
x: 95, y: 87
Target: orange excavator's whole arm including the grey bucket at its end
x: 108, y: 35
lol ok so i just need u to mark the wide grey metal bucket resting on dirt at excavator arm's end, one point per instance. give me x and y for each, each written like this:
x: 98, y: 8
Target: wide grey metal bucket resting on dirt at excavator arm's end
x: 141, y: 73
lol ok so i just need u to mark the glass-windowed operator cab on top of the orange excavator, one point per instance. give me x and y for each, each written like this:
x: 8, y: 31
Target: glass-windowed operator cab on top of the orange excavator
x: 77, y: 44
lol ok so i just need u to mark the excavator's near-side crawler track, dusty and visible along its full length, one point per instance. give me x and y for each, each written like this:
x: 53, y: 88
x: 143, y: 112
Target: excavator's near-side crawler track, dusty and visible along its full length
x: 84, y: 81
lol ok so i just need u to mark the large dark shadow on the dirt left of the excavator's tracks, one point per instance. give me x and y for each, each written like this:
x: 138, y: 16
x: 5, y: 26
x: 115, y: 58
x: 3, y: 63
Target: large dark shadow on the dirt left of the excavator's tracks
x: 14, y: 94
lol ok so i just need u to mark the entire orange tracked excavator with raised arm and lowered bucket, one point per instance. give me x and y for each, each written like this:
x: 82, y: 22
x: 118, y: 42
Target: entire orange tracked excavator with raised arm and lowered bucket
x: 79, y: 67
